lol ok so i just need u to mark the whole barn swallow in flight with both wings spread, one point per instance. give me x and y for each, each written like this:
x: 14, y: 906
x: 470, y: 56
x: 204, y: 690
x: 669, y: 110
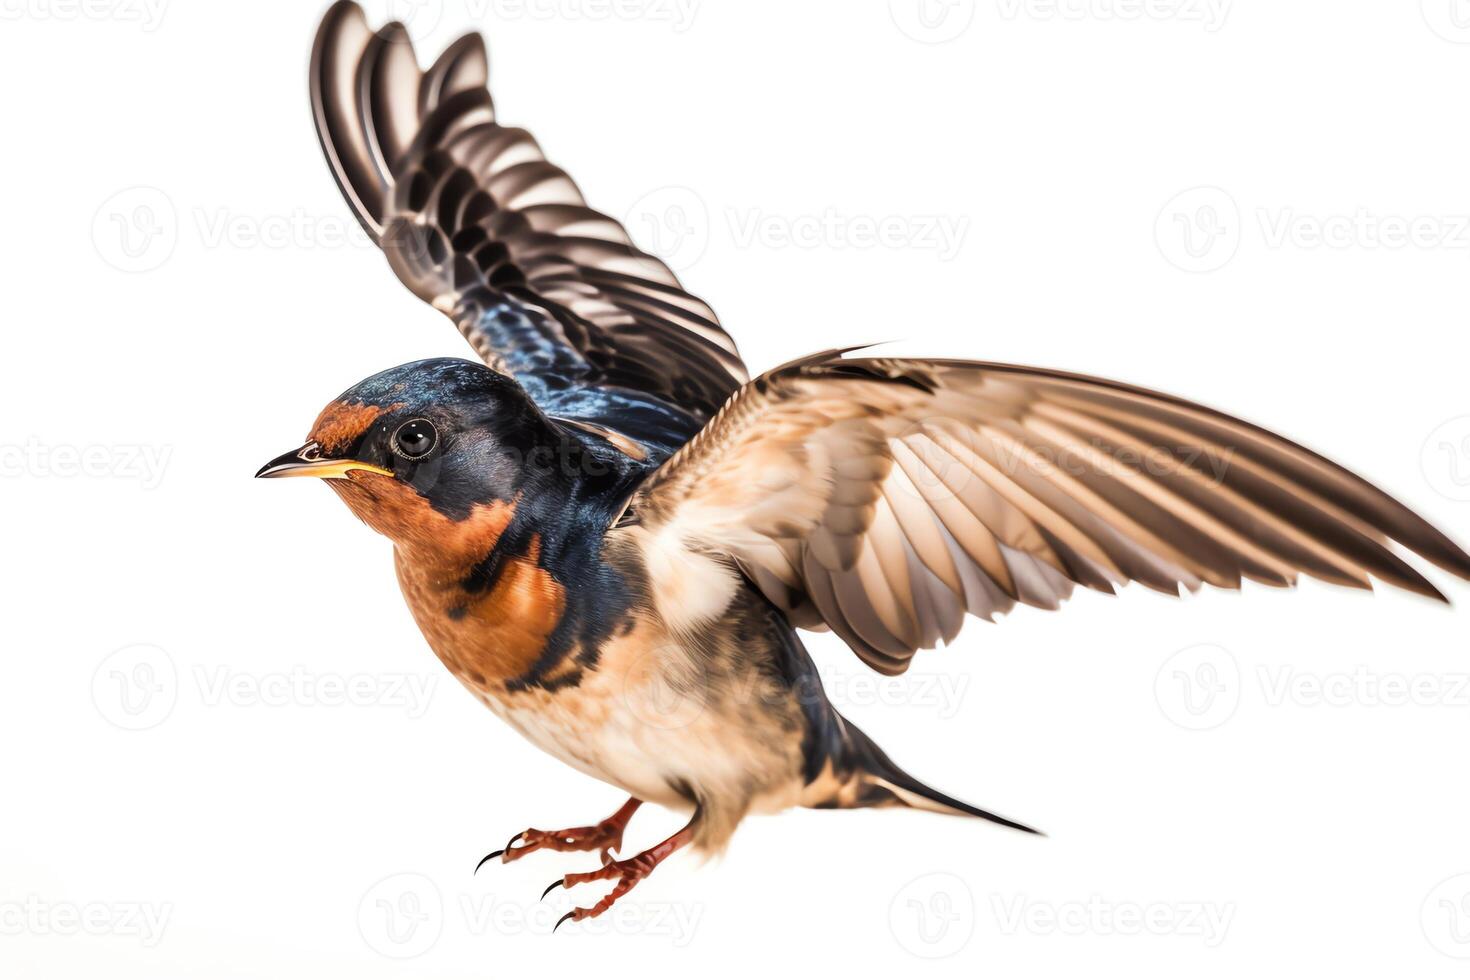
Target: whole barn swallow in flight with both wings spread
x: 611, y: 534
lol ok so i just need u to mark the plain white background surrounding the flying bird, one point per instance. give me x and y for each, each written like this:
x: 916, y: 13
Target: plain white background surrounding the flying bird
x: 168, y: 342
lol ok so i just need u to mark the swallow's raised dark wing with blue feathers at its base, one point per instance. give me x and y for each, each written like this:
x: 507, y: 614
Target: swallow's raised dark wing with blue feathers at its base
x: 477, y: 223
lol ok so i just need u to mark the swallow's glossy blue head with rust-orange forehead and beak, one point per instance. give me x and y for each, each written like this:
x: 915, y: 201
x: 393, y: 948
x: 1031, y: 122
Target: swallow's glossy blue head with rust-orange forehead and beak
x: 421, y: 446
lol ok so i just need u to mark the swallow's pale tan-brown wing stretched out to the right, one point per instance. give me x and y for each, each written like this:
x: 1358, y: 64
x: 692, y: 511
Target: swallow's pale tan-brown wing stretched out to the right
x: 887, y: 499
